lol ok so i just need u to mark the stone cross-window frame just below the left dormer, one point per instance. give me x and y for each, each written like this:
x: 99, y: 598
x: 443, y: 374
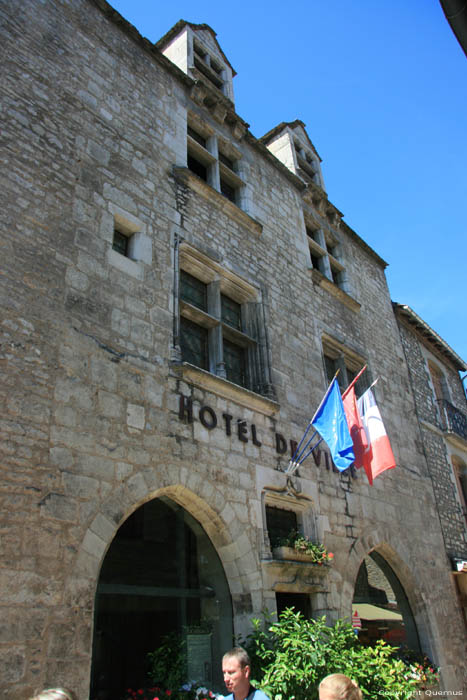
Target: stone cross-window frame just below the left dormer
x: 214, y: 157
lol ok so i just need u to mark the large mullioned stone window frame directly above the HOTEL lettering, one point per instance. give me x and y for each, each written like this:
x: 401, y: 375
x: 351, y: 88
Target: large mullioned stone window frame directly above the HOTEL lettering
x: 220, y: 281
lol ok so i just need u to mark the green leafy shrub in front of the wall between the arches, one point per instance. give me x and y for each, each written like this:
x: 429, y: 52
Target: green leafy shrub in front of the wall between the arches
x: 291, y: 656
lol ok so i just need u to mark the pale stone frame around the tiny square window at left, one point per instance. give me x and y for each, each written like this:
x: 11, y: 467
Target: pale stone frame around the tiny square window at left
x: 139, y: 246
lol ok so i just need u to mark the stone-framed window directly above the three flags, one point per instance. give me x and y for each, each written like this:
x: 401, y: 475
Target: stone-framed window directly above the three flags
x: 347, y: 361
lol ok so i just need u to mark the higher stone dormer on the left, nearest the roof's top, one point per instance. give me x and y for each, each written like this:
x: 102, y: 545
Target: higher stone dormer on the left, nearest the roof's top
x: 196, y: 51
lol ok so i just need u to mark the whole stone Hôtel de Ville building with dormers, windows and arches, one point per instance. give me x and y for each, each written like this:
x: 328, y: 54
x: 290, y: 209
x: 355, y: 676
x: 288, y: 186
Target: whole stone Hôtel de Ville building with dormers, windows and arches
x: 175, y: 295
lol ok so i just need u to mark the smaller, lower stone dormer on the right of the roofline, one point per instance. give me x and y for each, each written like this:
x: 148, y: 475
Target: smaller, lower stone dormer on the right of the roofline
x: 290, y: 143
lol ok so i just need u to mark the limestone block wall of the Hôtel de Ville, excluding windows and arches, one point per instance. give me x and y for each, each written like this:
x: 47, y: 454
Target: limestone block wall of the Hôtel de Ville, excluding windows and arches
x: 95, y: 122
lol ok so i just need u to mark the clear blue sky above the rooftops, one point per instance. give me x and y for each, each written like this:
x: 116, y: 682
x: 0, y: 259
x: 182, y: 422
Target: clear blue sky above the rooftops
x: 382, y: 89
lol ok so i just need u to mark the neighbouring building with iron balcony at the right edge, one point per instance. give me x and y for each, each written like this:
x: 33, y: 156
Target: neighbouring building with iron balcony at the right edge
x: 441, y: 408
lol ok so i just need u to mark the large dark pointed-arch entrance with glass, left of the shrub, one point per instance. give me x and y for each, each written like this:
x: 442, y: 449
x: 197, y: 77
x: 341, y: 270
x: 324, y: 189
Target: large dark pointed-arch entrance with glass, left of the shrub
x: 161, y: 575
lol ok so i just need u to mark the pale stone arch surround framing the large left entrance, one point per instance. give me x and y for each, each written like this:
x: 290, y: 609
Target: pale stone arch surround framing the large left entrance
x: 202, y: 499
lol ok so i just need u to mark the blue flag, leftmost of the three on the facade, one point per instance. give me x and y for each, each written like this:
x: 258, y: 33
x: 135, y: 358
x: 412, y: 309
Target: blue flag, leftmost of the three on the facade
x: 331, y: 423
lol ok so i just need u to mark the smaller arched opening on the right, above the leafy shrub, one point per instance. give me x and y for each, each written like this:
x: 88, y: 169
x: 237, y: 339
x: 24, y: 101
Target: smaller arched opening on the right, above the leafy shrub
x: 382, y: 605
